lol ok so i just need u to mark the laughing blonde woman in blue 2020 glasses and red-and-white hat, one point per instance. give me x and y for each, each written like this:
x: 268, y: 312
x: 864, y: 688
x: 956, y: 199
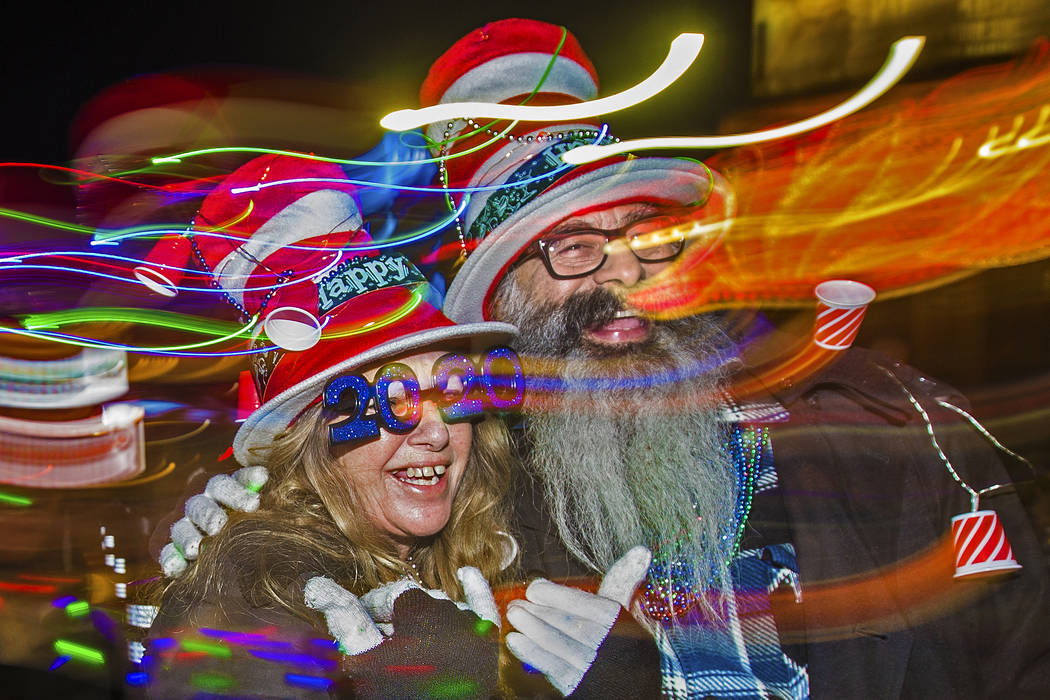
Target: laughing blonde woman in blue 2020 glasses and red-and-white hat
x: 364, y: 565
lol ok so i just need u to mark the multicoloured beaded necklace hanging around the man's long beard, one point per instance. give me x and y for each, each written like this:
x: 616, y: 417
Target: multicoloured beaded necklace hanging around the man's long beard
x: 670, y: 589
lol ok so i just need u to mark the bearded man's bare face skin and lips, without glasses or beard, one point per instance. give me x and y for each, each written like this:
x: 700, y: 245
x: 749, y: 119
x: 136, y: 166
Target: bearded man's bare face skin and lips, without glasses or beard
x: 621, y: 270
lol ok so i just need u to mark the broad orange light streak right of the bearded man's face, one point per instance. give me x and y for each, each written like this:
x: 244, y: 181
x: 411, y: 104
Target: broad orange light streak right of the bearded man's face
x: 906, y: 197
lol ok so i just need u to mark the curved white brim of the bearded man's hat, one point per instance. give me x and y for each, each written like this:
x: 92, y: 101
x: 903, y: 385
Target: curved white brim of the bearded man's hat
x: 639, y: 179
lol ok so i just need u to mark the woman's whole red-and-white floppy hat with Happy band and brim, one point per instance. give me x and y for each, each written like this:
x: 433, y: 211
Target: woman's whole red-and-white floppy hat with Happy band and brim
x: 297, y: 256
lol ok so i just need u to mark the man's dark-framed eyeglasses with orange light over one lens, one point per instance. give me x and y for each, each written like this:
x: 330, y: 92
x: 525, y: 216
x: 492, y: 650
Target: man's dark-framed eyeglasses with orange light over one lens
x: 580, y: 252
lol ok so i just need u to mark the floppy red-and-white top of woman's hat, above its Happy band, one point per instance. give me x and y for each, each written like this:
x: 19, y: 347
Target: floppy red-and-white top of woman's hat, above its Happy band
x: 264, y: 247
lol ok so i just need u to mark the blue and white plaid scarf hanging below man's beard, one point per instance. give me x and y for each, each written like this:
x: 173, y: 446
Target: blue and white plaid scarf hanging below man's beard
x: 741, y: 655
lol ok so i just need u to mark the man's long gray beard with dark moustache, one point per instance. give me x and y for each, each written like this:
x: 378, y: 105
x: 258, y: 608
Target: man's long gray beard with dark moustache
x: 643, y: 464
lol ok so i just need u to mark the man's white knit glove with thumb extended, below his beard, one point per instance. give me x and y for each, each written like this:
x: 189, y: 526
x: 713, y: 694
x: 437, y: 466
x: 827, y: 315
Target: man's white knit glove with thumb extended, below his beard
x: 560, y: 629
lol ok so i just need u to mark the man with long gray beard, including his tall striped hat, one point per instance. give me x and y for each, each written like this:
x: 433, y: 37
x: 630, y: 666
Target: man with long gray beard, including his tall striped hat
x: 826, y: 569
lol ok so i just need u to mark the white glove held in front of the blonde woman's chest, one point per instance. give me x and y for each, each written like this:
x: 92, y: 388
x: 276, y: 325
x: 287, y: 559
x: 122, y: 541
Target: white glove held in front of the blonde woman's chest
x: 360, y: 624
